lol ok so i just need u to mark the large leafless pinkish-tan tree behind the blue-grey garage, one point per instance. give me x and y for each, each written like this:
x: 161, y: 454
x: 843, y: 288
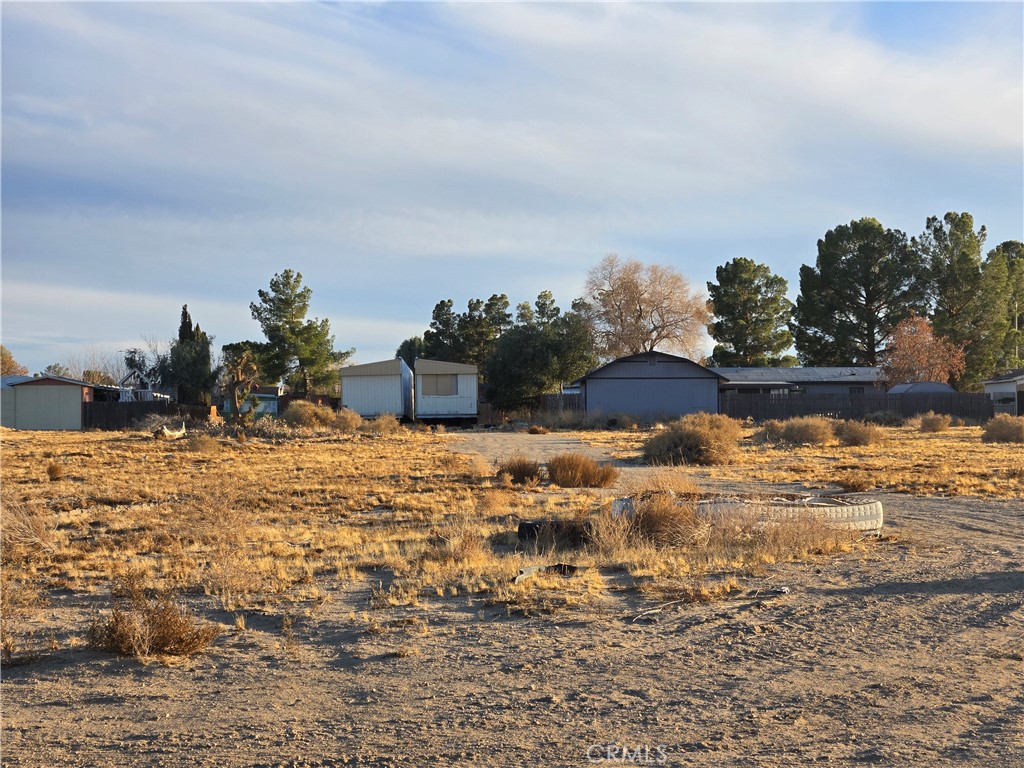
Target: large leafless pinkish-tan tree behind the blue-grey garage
x: 638, y: 308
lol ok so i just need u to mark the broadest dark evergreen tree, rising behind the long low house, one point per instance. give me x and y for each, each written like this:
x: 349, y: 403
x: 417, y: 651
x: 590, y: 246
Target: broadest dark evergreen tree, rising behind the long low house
x: 866, y: 281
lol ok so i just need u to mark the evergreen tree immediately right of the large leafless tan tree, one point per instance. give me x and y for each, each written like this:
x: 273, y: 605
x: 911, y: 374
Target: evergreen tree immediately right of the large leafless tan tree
x: 751, y: 316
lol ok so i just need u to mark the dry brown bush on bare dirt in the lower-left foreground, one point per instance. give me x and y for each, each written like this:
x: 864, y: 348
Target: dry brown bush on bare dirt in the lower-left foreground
x: 147, y: 627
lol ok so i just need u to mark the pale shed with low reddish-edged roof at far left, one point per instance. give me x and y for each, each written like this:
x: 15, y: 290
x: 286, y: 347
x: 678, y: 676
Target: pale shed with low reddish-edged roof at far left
x: 47, y: 403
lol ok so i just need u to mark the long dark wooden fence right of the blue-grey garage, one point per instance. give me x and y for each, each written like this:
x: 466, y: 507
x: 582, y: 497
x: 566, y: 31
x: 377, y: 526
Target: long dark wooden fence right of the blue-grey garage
x: 764, y: 407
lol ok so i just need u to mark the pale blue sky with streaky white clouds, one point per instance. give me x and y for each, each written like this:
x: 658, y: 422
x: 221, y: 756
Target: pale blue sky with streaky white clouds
x: 156, y: 155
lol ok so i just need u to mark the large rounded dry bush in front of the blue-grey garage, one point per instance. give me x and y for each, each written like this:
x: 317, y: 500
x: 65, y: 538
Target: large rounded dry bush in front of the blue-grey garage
x: 696, y: 439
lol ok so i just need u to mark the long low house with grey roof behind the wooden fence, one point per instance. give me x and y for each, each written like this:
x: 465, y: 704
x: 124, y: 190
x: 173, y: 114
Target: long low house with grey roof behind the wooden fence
x: 838, y: 380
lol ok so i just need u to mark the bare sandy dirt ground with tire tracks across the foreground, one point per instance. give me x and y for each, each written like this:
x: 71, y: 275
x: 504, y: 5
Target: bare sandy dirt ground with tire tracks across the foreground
x: 910, y: 655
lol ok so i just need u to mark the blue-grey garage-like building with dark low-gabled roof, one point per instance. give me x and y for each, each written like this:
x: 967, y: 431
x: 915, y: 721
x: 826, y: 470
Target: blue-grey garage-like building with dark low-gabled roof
x: 651, y: 387
